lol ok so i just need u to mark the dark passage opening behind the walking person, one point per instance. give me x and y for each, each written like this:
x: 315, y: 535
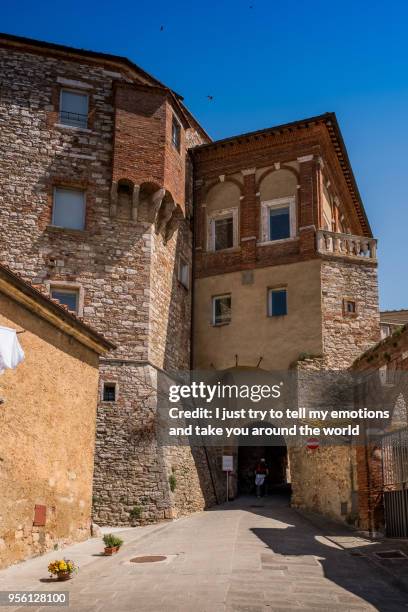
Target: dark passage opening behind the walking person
x: 276, y: 458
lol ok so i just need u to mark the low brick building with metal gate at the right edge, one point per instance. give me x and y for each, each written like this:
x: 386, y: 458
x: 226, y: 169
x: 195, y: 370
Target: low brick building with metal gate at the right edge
x: 382, y: 462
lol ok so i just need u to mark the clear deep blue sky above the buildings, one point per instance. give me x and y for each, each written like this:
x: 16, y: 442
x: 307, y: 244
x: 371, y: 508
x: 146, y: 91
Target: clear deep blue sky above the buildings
x: 267, y: 62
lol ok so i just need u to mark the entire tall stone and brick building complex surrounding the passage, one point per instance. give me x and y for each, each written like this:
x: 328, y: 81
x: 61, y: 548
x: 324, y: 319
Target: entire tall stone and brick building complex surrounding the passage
x: 102, y: 167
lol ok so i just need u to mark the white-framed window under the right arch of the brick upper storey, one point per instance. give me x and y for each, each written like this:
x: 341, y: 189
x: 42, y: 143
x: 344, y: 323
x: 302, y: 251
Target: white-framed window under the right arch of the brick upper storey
x: 278, y: 219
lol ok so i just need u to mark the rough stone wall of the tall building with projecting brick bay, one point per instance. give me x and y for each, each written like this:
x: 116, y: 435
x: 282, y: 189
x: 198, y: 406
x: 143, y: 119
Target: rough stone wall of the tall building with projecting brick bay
x: 127, y: 268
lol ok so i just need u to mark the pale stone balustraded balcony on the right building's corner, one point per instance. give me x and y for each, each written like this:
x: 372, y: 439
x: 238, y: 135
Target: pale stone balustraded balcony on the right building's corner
x: 346, y: 245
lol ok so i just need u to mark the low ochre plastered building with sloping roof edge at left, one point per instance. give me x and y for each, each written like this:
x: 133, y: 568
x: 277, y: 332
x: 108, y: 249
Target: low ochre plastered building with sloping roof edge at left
x: 47, y: 422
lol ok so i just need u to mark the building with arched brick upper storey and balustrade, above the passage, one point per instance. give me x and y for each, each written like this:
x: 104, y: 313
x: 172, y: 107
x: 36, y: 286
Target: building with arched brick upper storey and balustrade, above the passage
x: 285, y: 276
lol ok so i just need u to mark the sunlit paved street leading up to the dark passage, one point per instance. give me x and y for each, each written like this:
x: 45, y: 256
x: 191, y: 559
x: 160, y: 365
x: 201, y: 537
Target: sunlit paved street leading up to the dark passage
x: 254, y: 555
